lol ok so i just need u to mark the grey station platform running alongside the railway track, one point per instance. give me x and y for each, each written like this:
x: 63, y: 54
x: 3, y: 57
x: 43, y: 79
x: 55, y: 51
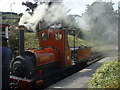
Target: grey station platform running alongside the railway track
x: 81, y: 78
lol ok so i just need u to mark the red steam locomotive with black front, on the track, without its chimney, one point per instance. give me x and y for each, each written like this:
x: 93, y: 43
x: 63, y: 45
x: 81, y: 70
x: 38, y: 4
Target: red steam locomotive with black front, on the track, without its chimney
x: 34, y: 67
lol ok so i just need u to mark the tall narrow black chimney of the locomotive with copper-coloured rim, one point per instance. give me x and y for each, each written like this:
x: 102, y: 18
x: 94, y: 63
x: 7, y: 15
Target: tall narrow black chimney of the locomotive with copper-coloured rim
x: 21, y: 40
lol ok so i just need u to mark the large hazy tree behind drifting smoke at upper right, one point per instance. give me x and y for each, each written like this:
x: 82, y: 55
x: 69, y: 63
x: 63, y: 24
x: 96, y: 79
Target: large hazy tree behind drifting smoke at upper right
x: 102, y: 22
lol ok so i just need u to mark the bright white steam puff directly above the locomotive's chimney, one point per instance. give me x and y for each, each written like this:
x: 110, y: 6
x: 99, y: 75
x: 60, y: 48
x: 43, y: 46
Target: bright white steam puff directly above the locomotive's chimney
x: 31, y: 21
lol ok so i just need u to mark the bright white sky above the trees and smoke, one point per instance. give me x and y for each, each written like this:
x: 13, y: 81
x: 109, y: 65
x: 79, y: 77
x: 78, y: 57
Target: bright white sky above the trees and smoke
x: 75, y: 6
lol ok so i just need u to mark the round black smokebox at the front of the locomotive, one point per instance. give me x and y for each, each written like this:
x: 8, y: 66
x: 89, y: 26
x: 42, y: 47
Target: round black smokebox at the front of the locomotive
x: 23, y: 67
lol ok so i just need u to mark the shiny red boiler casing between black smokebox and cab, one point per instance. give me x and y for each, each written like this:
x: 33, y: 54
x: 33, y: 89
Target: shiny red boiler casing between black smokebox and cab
x: 45, y: 56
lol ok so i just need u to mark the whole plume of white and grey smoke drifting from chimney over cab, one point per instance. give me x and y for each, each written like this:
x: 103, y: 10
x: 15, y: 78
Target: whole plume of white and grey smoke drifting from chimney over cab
x: 48, y: 16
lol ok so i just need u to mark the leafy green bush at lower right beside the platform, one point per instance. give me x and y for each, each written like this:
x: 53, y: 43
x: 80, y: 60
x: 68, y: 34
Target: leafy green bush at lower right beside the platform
x: 107, y: 76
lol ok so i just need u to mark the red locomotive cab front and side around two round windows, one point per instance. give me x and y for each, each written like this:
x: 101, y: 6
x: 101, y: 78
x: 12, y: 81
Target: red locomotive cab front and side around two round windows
x: 62, y: 45
